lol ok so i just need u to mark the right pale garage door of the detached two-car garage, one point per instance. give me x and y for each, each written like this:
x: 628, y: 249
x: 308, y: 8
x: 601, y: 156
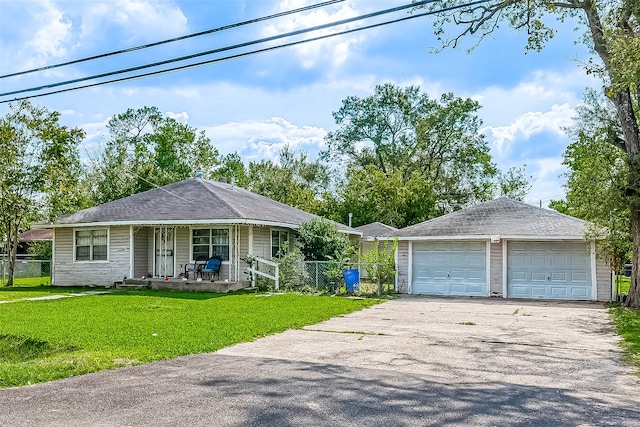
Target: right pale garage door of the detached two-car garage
x: 549, y: 270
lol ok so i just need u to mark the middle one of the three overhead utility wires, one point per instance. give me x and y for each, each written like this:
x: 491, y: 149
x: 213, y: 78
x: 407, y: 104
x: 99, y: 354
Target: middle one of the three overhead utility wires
x: 222, y: 49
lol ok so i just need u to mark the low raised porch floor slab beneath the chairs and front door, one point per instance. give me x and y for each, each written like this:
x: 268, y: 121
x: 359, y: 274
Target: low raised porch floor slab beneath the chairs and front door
x: 171, y: 284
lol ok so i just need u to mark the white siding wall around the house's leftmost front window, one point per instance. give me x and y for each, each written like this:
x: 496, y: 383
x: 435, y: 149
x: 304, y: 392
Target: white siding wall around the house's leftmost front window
x: 69, y: 273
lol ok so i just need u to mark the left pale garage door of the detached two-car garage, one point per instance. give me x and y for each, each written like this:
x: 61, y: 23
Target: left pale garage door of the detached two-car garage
x: 449, y: 268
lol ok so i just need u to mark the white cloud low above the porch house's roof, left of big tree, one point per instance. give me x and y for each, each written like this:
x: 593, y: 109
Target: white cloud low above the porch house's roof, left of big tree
x: 256, y: 140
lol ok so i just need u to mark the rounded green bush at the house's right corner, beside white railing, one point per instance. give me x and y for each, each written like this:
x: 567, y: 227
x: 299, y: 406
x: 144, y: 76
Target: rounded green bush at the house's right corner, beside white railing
x: 320, y: 240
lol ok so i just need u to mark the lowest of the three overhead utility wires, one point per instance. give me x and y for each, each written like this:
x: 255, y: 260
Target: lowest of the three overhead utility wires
x: 380, y: 24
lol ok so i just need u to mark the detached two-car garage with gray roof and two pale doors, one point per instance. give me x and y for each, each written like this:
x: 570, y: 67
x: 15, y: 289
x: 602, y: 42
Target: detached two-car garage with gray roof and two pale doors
x: 502, y: 248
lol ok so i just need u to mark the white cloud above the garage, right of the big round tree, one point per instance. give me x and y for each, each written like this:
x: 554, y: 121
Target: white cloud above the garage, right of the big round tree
x: 529, y: 124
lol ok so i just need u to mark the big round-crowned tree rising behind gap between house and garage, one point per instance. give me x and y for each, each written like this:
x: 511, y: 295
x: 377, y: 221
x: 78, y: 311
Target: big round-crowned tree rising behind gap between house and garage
x: 410, y: 158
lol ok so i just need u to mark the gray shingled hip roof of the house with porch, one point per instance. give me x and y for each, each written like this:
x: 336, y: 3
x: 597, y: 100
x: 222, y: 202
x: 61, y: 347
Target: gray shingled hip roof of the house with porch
x: 196, y: 200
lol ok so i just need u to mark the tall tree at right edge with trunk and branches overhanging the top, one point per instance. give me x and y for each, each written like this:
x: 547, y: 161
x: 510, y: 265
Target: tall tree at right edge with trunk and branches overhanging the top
x: 612, y: 30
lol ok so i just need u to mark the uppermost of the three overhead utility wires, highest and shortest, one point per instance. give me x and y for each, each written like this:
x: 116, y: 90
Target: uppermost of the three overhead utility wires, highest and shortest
x: 175, y: 39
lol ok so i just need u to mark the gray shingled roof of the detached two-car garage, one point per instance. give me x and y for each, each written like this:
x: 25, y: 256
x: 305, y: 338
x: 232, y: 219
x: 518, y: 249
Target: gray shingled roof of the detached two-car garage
x: 502, y: 216
